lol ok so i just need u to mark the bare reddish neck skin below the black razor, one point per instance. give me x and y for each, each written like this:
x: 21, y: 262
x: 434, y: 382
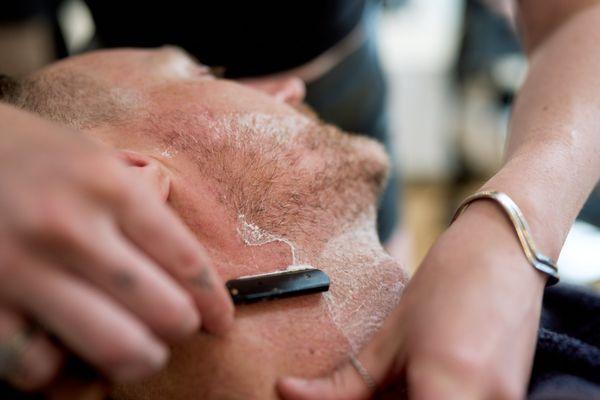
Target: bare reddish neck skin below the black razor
x: 284, y: 337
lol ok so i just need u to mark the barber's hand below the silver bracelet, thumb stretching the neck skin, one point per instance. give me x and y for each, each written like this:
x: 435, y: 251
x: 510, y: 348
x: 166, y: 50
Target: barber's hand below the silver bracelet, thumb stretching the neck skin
x: 465, y: 327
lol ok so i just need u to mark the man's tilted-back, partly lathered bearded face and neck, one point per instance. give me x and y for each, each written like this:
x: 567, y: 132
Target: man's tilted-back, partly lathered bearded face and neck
x: 263, y: 186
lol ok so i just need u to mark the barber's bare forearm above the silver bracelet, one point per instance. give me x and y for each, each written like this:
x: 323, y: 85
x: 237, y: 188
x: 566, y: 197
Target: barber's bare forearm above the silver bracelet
x: 553, y: 151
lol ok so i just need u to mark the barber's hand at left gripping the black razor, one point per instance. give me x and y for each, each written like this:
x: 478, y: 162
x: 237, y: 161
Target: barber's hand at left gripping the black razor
x: 94, y: 257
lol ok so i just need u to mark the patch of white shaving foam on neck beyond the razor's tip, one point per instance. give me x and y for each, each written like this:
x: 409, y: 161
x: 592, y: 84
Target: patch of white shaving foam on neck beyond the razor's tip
x: 367, y: 282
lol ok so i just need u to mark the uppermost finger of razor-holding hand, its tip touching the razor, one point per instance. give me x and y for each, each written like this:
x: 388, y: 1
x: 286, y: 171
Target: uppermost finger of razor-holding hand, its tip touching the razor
x: 164, y: 238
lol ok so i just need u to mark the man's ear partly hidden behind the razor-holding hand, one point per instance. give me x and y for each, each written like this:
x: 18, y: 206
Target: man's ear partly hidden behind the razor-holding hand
x: 150, y: 170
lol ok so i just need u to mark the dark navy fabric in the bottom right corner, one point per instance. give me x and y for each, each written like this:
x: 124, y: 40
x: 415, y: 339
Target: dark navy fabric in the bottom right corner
x: 567, y: 360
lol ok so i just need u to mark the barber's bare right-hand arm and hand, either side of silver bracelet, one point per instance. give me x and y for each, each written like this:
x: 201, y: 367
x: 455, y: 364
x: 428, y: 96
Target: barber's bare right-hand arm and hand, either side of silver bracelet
x: 466, y: 325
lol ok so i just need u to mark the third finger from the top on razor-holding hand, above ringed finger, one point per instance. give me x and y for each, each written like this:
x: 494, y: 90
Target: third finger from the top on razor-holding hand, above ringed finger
x: 86, y: 321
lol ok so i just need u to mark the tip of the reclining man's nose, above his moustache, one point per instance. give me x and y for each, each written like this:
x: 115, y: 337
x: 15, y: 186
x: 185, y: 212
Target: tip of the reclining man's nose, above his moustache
x: 287, y: 89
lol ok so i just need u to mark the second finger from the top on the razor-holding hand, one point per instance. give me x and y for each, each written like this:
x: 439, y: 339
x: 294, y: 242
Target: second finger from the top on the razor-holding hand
x: 121, y: 270
